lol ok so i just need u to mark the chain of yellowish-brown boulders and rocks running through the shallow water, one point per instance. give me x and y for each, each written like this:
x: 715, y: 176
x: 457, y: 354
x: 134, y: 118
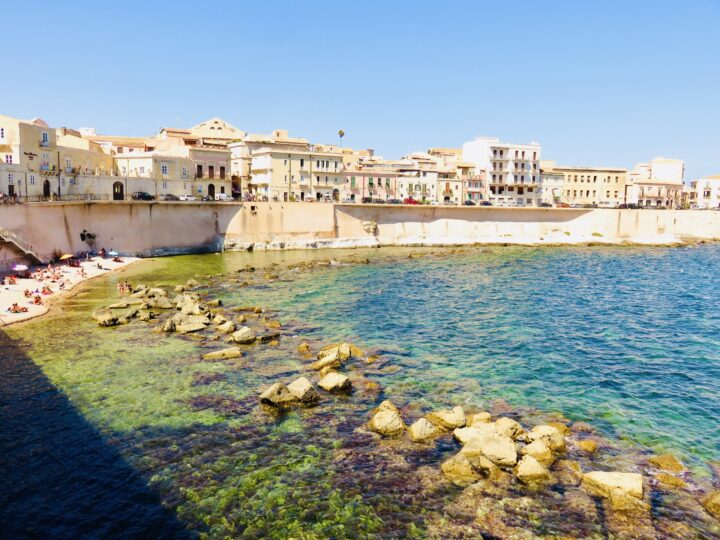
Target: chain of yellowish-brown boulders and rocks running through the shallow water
x: 488, y: 458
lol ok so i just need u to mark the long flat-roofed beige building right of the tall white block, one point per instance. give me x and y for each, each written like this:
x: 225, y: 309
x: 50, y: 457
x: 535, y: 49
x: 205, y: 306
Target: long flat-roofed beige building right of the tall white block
x: 584, y: 186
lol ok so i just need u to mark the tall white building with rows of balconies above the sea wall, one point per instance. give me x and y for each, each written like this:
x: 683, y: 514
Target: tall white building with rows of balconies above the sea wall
x: 512, y: 171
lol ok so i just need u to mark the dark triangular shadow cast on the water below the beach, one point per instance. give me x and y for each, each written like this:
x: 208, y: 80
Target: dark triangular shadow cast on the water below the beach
x: 58, y: 477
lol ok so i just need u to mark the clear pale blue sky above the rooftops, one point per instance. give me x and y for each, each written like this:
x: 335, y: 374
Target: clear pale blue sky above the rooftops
x: 597, y: 83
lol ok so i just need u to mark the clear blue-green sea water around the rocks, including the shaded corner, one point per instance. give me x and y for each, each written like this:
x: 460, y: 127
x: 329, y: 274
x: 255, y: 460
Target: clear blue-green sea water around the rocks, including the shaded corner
x: 131, y: 425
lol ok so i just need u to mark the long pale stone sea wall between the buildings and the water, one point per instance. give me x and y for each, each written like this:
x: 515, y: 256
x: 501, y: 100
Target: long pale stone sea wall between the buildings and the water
x: 151, y: 229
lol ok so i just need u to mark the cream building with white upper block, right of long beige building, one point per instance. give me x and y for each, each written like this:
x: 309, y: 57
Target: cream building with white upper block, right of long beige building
x: 658, y: 183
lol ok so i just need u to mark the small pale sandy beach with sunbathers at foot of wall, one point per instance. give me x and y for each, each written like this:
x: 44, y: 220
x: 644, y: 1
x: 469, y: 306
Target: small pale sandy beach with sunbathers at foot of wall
x: 71, y: 276
